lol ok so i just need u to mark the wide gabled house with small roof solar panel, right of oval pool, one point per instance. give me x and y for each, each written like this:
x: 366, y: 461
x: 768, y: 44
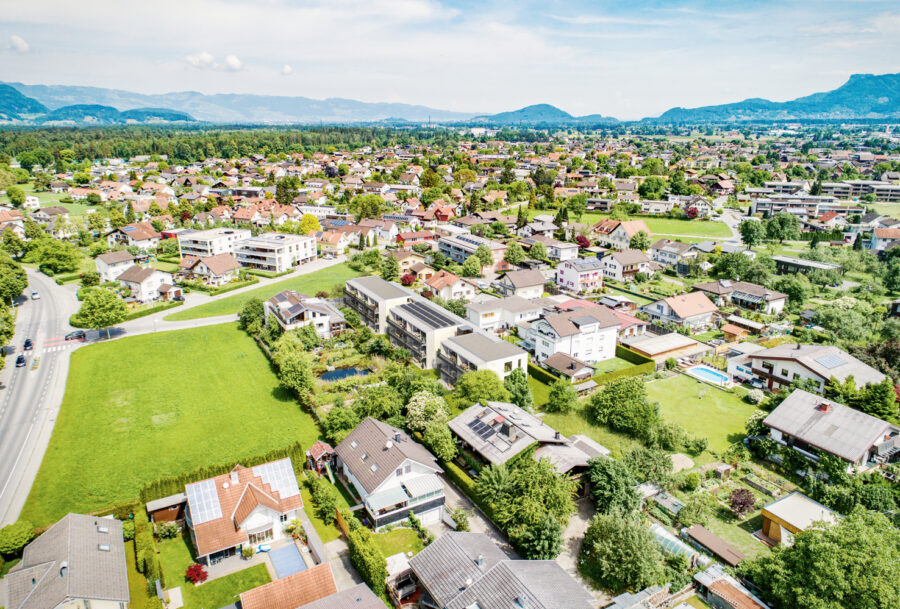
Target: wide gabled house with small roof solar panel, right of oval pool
x: 779, y: 366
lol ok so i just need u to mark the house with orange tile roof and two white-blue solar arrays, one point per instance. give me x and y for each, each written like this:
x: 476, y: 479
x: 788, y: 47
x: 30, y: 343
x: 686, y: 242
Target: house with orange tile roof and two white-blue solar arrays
x: 247, y: 507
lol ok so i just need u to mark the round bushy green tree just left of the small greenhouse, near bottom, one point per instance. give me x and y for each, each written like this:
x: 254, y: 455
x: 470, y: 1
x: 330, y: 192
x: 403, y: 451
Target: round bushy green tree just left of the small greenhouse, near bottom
x: 619, y: 553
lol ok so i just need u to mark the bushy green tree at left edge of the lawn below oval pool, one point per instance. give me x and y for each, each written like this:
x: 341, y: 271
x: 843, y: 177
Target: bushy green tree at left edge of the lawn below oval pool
x: 624, y: 406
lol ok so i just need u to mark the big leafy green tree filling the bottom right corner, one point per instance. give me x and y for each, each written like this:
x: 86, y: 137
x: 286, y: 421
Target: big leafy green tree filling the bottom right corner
x: 854, y: 564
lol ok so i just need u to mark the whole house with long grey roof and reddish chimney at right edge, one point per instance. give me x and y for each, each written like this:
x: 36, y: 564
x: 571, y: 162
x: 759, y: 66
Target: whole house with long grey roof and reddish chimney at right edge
x: 811, y: 424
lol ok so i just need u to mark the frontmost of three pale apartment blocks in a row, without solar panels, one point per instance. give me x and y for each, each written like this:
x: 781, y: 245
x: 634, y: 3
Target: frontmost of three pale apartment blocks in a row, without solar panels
x: 476, y: 351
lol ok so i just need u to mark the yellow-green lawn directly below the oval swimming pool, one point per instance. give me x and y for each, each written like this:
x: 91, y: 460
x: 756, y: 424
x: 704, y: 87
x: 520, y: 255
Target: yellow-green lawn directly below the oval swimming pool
x: 718, y: 416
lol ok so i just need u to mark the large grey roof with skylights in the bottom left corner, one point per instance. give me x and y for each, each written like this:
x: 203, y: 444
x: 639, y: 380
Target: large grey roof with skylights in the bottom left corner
x: 66, y: 562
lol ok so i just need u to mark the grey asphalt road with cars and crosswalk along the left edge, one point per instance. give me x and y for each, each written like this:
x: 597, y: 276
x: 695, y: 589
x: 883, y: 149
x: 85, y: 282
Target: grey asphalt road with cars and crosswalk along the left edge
x: 30, y: 395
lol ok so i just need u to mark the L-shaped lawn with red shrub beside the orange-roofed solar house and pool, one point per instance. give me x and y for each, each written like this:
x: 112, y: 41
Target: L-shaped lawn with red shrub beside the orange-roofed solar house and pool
x: 175, y: 557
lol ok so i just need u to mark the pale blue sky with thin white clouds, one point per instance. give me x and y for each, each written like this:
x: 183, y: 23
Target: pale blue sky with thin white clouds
x: 628, y: 59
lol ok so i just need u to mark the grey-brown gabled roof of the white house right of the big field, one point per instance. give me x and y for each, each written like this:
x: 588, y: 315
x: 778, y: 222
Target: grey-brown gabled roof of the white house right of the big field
x: 371, y: 438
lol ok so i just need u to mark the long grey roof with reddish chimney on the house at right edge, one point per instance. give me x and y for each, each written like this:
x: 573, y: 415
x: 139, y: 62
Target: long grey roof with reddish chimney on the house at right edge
x: 827, y: 425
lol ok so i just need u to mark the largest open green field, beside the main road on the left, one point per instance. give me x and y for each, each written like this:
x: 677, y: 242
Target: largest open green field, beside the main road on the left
x: 140, y: 408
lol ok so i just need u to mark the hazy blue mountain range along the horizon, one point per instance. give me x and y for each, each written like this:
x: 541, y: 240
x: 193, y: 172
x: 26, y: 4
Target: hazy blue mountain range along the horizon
x: 863, y: 96
